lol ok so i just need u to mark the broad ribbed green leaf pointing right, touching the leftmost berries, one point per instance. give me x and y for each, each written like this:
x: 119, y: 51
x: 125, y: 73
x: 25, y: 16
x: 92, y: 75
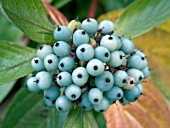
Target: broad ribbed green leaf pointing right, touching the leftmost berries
x: 15, y: 61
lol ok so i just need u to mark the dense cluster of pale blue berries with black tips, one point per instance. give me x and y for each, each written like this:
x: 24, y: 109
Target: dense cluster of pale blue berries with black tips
x: 93, y: 67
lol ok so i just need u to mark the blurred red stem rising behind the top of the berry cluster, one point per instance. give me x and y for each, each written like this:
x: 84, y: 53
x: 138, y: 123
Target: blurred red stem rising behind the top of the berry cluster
x: 92, y: 9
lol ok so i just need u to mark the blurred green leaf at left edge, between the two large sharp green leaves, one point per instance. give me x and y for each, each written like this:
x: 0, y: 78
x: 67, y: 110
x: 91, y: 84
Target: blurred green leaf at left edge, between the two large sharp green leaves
x: 8, y: 31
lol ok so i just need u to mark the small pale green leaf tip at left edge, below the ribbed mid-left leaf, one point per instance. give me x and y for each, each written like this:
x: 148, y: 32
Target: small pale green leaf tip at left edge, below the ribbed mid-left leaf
x: 5, y: 89
